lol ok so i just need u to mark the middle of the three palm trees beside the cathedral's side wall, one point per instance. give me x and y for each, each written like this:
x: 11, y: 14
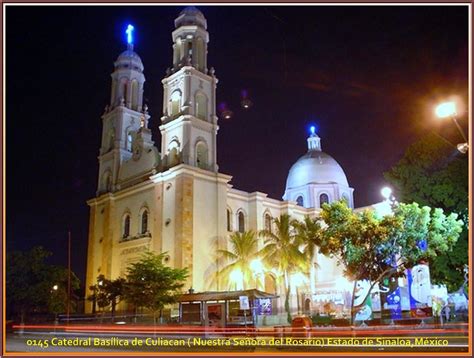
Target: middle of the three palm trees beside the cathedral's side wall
x: 281, y: 252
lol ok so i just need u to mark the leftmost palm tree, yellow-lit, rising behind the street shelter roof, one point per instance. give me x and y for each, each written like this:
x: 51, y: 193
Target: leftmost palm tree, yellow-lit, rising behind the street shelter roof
x: 243, y: 250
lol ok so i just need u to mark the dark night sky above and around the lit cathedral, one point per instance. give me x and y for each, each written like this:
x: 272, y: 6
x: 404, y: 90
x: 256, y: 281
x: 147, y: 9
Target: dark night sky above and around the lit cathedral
x: 366, y: 76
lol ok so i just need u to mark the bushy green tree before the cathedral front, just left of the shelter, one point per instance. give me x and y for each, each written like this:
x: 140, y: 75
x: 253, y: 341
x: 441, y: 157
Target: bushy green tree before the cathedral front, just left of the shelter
x: 153, y: 285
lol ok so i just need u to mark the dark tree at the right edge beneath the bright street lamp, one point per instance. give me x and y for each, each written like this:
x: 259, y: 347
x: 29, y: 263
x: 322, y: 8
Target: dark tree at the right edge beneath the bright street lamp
x: 435, y: 174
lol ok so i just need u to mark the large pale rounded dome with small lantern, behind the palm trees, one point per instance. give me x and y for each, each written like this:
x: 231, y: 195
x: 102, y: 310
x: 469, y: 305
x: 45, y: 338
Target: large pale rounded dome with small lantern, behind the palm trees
x: 315, y: 167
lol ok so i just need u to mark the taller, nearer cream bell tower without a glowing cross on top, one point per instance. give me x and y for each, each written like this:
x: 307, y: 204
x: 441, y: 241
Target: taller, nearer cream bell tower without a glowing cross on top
x: 189, y: 123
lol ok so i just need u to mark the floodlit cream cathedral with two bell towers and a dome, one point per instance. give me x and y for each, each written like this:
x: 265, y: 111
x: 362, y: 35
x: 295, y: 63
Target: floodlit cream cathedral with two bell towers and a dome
x: 173, y: 199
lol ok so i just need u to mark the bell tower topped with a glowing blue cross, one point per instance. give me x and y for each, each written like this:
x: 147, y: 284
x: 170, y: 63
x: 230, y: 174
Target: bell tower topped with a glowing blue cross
x: 124, y: 119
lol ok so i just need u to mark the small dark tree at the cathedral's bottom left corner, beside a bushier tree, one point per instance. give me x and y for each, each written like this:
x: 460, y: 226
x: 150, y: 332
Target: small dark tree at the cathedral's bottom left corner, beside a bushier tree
x: 108, y: 292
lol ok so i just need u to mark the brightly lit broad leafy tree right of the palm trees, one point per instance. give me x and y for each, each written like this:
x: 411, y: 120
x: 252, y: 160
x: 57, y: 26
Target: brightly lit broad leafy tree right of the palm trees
x: 372, y: 248
